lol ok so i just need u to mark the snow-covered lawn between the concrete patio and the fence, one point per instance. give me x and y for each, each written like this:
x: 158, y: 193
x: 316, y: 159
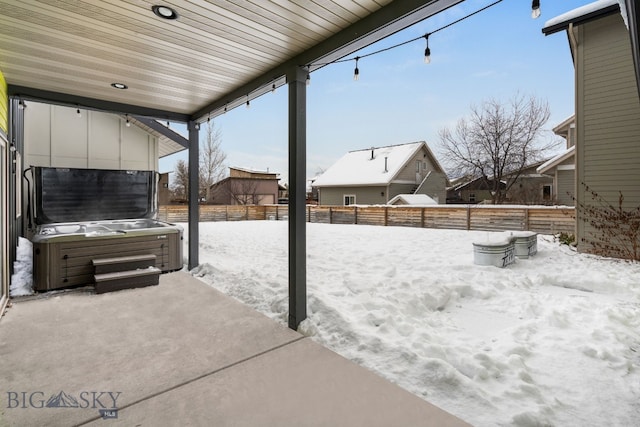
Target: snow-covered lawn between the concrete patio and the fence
x: 552, y: 340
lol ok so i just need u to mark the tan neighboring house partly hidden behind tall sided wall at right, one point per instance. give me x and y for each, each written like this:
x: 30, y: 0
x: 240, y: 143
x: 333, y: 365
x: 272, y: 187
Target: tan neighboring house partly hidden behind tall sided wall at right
x: 562, y: 168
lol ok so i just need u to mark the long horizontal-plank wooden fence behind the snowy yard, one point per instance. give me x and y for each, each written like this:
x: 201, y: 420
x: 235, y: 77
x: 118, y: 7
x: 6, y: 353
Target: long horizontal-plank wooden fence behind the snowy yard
x: 541, y: 219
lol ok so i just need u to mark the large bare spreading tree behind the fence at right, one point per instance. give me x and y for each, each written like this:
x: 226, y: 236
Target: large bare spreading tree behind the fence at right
x: 496, y: 141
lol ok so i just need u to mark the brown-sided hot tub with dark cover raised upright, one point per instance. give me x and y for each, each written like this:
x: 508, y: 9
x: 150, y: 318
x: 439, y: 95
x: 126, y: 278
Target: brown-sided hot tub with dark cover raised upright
x: 85, y: 216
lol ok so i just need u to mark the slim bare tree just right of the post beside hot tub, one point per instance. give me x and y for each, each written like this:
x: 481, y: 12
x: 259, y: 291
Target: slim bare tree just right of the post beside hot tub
x: 212, y: 158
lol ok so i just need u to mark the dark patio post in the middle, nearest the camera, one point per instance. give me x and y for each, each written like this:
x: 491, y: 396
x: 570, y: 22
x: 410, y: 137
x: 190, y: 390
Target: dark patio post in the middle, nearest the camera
x: 296, y: 79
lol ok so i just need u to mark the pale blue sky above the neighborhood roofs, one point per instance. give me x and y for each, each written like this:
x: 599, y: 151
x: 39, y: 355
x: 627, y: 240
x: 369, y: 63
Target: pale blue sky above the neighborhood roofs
x: 495, y: 54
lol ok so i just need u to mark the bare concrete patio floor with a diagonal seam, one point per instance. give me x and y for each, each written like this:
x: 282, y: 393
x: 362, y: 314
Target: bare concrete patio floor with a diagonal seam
x: 182, y: 353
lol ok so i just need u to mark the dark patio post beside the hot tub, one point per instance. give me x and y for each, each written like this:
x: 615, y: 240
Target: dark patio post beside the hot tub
x: 194, y: 208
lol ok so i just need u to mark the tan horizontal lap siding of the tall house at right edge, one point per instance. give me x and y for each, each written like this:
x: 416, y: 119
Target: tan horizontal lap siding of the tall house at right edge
x: 608, y: 115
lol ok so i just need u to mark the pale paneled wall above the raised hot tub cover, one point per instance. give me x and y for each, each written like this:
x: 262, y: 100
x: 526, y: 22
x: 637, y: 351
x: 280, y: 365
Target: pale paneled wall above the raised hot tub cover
x: 56, y: 136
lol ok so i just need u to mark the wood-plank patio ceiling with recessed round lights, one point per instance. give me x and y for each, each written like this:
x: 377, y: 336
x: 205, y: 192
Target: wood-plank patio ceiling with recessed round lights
x: 215, y: 53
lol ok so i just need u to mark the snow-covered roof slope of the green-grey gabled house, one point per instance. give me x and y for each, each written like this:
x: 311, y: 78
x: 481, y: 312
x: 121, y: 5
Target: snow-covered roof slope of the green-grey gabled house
x: 359, y: 168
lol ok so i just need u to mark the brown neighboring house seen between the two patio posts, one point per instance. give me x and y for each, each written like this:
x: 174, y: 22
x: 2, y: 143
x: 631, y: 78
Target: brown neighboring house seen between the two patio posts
x: 245, y: 187
